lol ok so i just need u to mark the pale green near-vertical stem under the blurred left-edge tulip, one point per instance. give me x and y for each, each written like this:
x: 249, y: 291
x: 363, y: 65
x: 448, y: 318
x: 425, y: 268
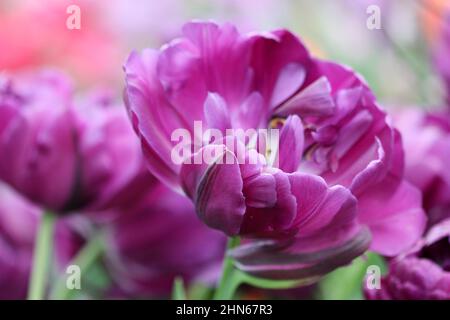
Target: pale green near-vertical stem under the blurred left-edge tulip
x: 41, y: 257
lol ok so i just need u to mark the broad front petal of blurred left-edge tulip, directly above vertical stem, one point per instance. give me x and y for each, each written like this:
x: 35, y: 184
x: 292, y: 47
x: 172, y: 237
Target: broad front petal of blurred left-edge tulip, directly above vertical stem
x: 40, y: 147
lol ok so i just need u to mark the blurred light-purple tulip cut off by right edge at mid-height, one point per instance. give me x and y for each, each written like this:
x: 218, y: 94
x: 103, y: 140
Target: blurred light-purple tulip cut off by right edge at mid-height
x: 427, y: 148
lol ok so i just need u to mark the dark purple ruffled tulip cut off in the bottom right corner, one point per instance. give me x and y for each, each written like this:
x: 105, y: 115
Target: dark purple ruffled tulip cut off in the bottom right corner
x: 422, y: 274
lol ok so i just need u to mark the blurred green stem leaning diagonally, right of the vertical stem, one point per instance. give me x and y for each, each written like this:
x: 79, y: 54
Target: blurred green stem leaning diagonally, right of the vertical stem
x: 84, y: 259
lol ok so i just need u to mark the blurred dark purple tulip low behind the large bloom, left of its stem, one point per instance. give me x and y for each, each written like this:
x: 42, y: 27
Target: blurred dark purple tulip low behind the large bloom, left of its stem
x: 159, y: 239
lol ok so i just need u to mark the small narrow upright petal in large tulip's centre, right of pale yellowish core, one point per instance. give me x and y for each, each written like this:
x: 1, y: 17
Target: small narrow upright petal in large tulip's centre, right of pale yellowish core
x: 291, y: 144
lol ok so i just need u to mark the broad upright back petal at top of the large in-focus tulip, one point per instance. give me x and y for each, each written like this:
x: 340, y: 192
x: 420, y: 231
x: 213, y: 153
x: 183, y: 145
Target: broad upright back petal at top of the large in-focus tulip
x: 223, y: 63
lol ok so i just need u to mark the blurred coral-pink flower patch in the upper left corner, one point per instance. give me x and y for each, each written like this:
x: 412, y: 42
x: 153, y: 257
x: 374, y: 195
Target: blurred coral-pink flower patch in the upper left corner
x: 36, y: 35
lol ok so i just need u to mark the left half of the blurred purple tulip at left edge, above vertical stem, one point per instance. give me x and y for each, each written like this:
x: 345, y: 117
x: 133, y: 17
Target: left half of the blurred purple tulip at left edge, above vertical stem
x: 38, y: 138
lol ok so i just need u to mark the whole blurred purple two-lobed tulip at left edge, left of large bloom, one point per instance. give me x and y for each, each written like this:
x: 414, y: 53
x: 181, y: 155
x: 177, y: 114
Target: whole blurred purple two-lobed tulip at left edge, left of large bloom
x: 62, y: 155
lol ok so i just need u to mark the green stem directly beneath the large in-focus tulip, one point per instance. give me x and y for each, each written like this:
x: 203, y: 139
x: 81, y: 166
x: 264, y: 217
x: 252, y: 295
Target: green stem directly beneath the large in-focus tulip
x: 229, y: 281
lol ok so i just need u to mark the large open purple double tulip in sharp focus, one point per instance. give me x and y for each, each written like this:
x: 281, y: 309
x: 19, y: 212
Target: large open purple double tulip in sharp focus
x: 304, y: 200
